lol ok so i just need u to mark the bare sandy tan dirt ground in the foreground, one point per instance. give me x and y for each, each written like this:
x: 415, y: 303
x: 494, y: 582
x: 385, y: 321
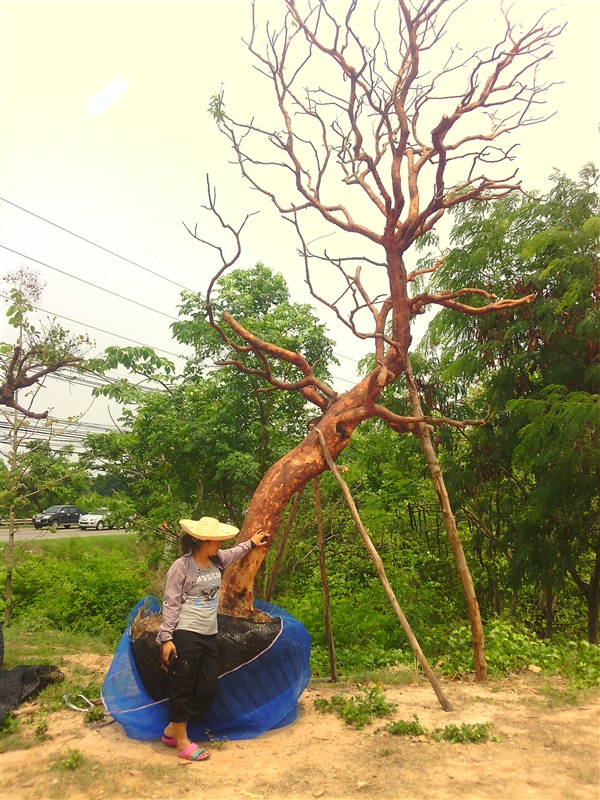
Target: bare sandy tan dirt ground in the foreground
x: 547, y: 751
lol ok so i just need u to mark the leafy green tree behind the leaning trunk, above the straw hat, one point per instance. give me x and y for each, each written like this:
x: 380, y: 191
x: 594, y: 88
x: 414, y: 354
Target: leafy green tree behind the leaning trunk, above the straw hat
x: 202, y: 444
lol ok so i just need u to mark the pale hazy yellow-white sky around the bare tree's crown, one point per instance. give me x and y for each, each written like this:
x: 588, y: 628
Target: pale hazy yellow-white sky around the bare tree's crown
x: 104, y: 132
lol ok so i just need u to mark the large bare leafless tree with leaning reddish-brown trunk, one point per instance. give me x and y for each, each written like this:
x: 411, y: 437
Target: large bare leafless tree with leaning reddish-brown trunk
x: 399, y: 128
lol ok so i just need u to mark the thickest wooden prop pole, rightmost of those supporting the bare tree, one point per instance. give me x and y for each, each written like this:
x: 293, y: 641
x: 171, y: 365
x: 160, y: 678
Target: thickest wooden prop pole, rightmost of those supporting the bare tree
x: 451, y: 530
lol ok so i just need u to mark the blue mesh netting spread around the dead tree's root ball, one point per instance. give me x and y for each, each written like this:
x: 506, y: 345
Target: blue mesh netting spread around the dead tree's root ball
x: 257, y: 696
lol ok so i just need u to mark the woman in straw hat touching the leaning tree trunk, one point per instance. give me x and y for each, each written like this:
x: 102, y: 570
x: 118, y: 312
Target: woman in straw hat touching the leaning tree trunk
x: 188, y: 633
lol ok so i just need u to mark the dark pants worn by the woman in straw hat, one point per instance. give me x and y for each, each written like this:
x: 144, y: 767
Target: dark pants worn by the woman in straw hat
x: 193, y: 677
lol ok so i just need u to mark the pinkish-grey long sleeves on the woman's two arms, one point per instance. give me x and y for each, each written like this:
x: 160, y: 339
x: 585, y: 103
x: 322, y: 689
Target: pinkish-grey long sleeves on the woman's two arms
x: 182, y: 576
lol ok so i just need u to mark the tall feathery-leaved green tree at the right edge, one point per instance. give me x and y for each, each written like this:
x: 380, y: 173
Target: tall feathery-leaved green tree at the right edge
x: 536, y: 465
